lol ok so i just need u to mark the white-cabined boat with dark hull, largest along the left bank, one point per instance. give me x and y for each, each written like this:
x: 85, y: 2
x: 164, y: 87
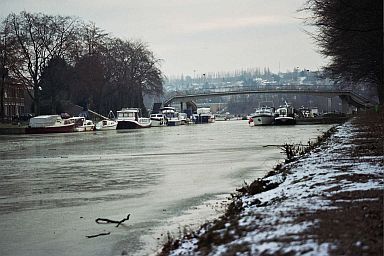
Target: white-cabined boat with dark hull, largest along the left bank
x: 130, y: 118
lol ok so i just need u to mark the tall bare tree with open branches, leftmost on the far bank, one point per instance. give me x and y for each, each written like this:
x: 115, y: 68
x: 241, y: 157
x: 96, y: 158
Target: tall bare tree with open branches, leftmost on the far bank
x: 39, y: 38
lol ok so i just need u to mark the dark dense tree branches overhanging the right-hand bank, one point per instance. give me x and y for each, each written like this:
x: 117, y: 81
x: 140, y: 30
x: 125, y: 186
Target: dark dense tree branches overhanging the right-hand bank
x: 350, y: 34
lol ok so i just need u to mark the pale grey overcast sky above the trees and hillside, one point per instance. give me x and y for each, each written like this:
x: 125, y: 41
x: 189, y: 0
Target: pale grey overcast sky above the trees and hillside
x: 198, y: 35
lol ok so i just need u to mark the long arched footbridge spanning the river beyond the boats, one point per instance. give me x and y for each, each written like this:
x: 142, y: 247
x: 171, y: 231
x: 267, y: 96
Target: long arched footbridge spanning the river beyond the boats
x: 348, y: 97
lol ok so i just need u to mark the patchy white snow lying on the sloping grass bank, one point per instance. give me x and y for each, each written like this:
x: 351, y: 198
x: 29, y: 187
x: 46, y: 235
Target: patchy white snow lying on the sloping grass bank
x: 268, y: 221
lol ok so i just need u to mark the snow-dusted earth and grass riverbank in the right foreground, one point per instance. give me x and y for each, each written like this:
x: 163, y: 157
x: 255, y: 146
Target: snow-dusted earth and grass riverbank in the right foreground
x: 328, y: 202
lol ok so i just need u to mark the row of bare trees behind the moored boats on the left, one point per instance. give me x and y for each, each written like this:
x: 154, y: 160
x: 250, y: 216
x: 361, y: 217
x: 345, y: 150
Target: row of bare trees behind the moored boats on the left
x: 64, y: 59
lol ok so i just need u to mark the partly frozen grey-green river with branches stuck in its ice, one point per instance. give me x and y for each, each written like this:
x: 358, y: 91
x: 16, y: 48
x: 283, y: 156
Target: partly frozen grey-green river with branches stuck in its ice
x: 54, y: 186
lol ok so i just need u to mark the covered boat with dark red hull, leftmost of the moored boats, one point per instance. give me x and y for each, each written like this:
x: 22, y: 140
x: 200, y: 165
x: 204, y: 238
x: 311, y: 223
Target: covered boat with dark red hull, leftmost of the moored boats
x: 49, y: 124
